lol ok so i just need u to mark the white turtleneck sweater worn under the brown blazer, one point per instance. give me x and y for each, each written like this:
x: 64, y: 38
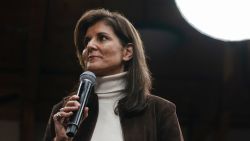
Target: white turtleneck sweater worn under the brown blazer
x: 109, y: 89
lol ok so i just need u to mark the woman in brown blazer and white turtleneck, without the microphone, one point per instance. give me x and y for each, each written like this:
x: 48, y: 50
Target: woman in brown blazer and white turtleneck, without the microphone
x: 121, y: 107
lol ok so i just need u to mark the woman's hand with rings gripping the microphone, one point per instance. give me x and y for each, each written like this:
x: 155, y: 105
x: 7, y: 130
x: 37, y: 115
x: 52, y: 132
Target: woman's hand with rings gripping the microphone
x: 61, y: 118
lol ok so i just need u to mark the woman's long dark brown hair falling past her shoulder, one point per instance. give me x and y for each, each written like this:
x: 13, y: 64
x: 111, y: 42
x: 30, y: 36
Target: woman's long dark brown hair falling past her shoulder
x: 138, y: 84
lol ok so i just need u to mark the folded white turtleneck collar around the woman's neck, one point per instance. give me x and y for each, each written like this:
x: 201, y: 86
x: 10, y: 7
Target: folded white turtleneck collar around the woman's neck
x: 110, y: 84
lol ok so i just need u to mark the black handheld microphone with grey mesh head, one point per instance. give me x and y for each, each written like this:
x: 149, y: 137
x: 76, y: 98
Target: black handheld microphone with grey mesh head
x: 87, y: 81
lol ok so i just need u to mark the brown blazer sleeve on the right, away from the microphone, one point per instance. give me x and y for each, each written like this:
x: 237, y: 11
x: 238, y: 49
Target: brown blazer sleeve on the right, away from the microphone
x: 168, y: 124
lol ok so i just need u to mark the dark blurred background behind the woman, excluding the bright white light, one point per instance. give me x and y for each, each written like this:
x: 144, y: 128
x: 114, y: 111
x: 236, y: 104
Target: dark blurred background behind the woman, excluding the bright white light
x: 207, y: 79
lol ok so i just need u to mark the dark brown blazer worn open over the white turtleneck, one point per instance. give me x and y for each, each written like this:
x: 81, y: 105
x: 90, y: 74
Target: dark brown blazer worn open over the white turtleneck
x: 158, y: 122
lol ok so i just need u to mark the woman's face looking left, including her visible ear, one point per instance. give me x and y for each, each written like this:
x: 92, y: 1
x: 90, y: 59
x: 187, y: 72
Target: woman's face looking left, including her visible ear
x: 103, y: 53
